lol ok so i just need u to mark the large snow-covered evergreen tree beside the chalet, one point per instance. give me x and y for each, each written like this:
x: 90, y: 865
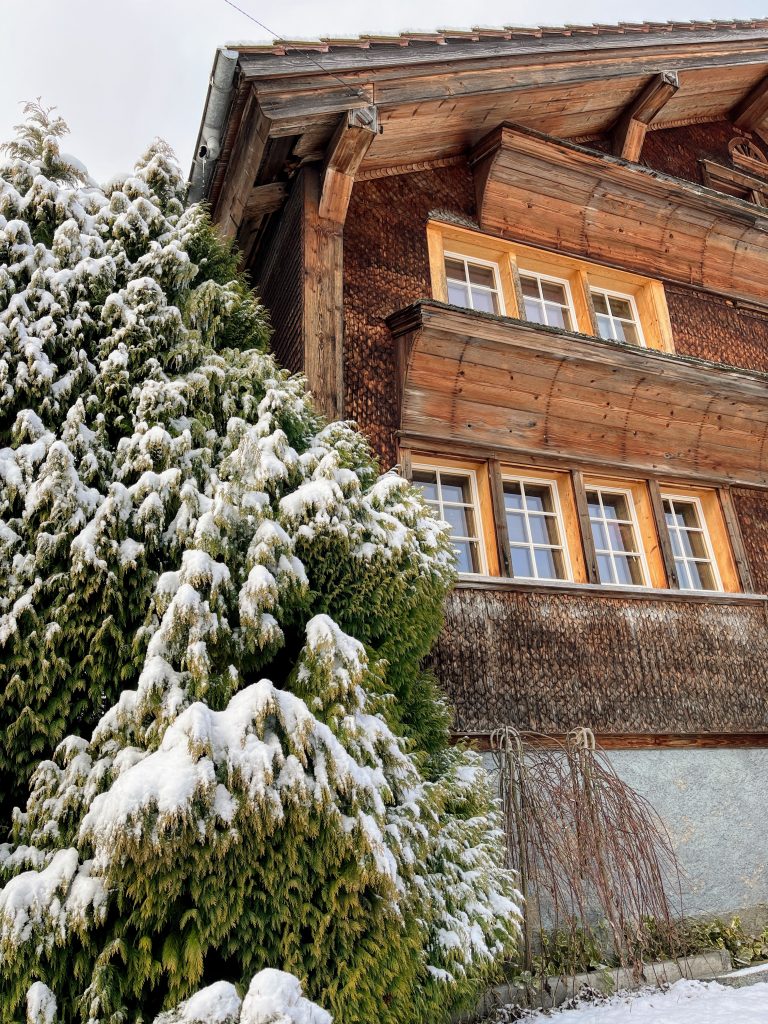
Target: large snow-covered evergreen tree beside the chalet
x: 214, y: 619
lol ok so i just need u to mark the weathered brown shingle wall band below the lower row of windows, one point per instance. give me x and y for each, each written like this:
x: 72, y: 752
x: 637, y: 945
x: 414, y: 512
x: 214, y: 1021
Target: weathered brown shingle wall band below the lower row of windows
x: 552, y: 662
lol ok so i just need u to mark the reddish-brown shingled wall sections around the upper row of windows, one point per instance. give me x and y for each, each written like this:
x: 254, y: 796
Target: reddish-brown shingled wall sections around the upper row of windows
x: 387, y: 268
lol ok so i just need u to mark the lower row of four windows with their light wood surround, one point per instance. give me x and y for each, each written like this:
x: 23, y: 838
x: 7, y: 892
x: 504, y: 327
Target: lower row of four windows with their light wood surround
x: 525, y: 523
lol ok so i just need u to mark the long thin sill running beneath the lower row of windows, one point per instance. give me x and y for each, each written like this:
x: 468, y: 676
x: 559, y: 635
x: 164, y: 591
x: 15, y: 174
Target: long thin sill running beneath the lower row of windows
x: 477, y: 582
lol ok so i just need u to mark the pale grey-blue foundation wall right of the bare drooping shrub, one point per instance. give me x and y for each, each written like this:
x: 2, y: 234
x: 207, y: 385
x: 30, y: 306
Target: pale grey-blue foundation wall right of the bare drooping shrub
x: 715, y: 806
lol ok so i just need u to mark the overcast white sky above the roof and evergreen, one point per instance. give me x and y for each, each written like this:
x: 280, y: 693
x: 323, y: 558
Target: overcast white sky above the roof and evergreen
x: 122, y: 72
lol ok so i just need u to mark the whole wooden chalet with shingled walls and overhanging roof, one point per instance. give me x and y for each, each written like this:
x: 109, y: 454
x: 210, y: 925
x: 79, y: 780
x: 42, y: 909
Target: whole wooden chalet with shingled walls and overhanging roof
x: 533, y: 266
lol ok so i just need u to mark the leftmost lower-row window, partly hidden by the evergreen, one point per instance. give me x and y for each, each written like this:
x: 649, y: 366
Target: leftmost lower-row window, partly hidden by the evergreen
x: 453, y: 495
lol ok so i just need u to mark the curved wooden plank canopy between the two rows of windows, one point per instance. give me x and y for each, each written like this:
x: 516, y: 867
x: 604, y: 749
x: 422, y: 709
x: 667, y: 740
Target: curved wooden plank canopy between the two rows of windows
x: 518, y: 389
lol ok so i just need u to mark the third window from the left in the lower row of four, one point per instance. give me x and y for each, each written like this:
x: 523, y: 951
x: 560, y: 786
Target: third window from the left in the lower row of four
x: 615, y: 532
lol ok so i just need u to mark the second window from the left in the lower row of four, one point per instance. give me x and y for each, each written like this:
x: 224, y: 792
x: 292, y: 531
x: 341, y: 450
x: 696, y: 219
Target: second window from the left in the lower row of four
x: 535, y: 530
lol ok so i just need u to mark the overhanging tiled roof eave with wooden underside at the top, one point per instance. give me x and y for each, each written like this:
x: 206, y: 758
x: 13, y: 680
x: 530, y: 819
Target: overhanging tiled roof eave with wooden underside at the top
x: 438, y: 95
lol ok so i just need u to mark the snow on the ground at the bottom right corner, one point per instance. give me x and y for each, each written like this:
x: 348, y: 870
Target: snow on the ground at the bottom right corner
x: 685, y: 1003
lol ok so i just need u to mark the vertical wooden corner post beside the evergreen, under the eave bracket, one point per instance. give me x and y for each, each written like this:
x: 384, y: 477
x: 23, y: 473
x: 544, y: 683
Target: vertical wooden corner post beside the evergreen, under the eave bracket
x: 323, y: 320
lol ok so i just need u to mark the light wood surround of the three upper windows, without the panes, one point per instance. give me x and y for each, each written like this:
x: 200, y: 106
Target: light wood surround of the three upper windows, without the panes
x: 580, y: 278
